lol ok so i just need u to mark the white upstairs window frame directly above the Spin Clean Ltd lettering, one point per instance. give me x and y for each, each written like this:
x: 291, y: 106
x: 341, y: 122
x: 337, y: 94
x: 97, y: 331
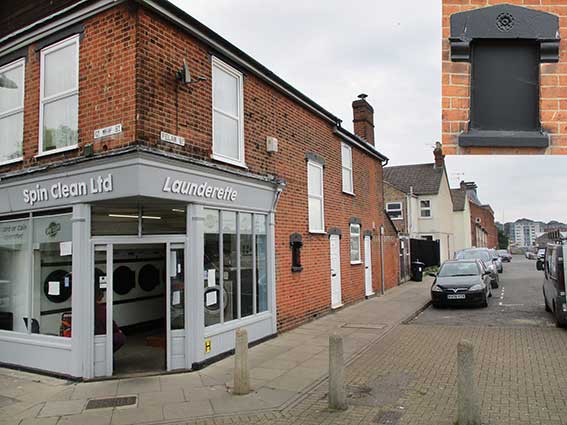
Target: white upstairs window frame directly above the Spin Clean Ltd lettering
x: 59, y: 96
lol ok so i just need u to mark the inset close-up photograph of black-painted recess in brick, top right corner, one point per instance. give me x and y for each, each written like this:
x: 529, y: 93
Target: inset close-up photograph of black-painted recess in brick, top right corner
x: 503, y: 85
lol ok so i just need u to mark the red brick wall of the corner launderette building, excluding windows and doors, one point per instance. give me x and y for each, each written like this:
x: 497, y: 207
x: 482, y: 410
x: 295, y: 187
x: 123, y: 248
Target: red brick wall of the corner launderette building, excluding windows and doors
x: 128, y: 61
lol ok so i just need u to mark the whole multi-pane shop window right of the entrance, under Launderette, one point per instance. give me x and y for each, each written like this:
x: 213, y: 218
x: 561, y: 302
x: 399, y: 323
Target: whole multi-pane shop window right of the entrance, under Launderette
x: 235, y: 247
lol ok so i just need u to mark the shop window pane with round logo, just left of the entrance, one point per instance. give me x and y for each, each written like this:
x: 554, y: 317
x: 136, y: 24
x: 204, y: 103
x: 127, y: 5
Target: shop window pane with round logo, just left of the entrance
x: 52, y: 279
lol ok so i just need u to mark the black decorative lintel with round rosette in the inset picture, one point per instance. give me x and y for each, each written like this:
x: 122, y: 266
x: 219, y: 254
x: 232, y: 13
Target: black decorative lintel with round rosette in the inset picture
x: 504, y: 22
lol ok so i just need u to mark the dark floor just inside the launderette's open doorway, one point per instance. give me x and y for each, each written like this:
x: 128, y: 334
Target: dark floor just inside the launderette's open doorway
x: 143, y: 352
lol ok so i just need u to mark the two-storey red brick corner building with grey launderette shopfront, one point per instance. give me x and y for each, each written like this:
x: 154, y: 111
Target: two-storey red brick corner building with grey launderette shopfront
x: 139, y: 141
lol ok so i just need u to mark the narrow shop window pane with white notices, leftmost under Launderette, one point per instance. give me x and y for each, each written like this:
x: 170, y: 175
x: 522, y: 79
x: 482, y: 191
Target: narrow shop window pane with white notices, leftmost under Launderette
x: 211, y: 266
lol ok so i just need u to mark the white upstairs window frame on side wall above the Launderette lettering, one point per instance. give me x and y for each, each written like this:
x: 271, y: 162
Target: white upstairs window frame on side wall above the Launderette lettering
x: 217, y: 63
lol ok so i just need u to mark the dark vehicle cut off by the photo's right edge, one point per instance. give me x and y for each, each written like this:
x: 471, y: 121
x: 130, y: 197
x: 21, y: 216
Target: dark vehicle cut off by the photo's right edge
x: 554, y: 282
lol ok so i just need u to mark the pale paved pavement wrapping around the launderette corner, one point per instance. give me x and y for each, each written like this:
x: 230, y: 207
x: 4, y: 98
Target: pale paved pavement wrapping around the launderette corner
x: 288, y: 376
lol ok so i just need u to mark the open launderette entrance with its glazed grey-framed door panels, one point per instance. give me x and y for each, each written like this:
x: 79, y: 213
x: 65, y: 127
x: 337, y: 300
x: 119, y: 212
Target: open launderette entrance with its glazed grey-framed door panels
x: 139, y: 314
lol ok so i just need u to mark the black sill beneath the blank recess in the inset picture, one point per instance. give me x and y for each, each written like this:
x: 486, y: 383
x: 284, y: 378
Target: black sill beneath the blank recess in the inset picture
x: 504, y: 139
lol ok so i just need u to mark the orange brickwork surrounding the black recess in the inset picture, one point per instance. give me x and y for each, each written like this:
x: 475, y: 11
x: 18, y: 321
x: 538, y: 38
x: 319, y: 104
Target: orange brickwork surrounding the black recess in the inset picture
x: 456, y: 84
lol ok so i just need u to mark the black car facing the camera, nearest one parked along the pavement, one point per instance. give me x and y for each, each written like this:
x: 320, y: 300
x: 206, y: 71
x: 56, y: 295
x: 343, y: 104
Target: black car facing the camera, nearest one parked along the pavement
x: 464, y: 282
